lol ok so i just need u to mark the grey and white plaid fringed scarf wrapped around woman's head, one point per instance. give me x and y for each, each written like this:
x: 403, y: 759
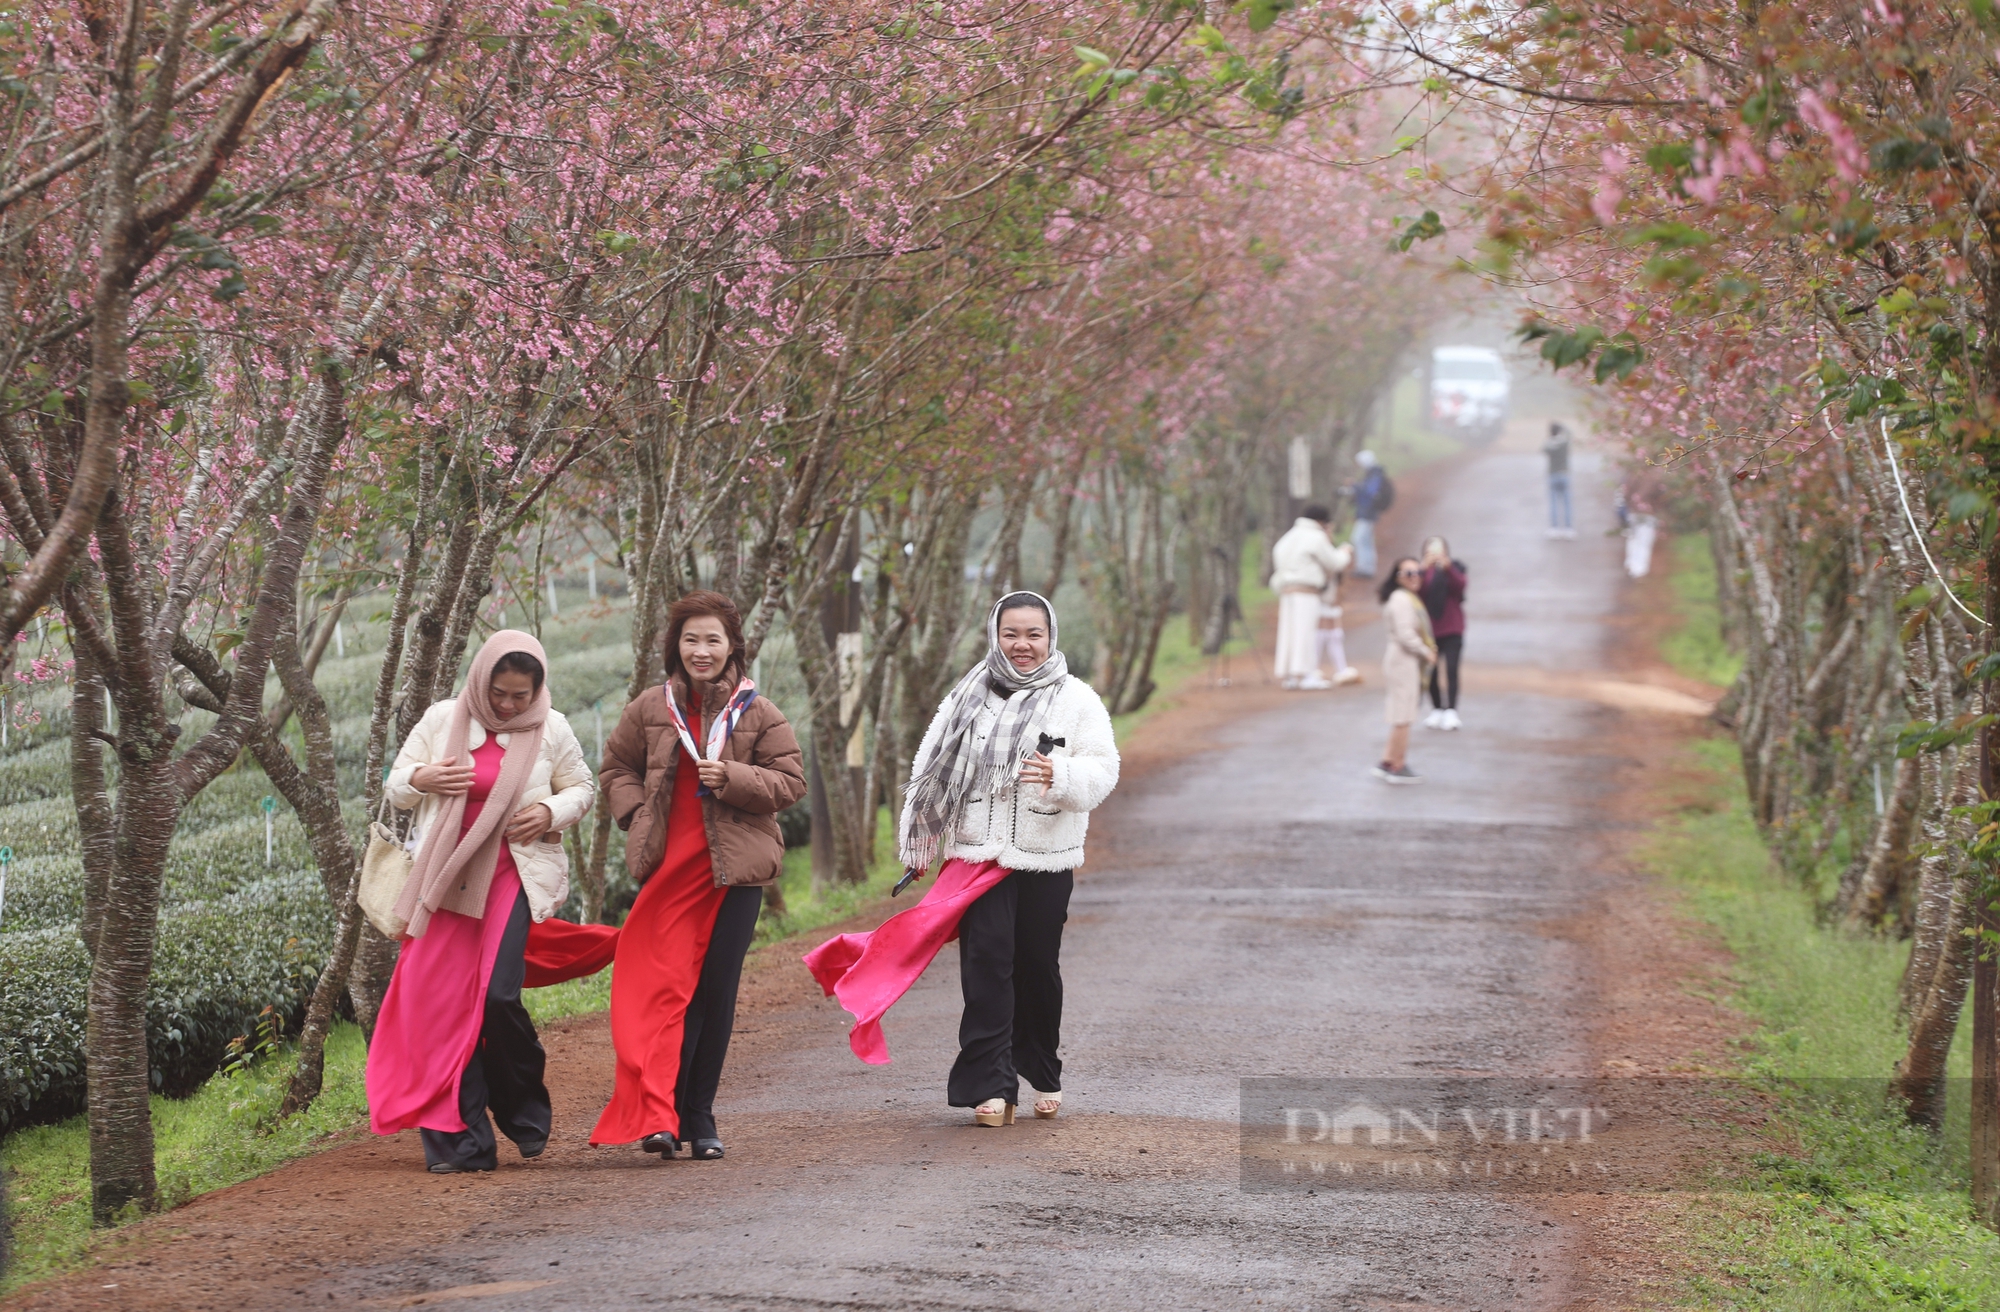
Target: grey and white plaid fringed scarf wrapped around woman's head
x: 953, y: 771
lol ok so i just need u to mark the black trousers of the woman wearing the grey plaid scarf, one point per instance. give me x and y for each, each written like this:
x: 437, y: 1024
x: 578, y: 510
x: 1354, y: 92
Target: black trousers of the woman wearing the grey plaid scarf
x: 1011, y: 971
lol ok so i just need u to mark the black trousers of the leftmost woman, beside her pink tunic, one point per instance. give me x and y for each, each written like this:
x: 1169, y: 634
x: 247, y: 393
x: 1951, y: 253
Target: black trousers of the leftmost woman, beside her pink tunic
x: 505, y: 1073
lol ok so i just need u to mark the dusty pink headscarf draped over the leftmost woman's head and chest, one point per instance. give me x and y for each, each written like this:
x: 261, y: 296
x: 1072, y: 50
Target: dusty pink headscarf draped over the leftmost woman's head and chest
x: 455, y: 873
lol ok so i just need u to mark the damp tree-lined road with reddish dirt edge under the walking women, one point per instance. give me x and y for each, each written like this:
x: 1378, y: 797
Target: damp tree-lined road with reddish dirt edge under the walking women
x: 1259, y: 909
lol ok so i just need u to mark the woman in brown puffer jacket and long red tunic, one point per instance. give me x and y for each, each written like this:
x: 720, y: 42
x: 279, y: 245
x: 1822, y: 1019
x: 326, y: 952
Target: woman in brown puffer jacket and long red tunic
x: 697, y: 775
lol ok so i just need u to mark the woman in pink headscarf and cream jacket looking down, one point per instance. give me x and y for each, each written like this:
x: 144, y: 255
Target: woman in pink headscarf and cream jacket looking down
x: 495, y: 777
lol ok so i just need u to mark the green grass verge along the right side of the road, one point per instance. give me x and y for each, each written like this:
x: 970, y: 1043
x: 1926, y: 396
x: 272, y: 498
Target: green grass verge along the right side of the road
x: 1853, y: 1207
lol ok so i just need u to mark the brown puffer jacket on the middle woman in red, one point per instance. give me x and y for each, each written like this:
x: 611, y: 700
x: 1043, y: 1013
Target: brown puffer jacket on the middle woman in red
x: 767, y: 775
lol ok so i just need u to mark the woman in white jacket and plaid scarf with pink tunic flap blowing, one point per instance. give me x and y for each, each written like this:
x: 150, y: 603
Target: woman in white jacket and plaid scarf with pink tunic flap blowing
x: 1003, y: 787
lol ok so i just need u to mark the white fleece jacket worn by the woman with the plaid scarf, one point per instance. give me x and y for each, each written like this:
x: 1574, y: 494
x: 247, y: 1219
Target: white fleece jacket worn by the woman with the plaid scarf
x: 1033, y: 827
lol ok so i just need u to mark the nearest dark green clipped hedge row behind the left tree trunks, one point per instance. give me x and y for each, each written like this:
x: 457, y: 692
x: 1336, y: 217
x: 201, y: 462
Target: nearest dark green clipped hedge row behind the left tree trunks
x: 217, y: 967
